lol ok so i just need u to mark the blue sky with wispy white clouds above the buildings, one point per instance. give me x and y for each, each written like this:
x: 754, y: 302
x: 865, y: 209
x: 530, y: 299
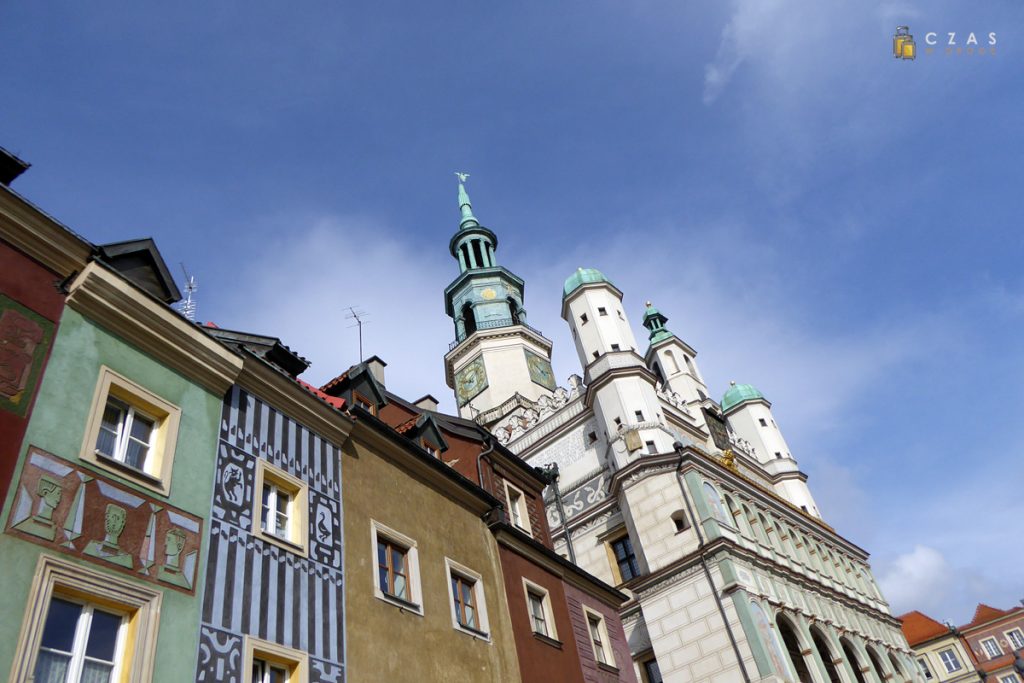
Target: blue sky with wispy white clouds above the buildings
x: 838, y: 228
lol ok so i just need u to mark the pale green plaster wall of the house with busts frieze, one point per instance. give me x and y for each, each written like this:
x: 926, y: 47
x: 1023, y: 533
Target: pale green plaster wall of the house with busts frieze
x: 59, y: 426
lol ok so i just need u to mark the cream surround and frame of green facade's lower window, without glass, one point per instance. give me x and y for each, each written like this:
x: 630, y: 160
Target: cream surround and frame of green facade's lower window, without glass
x: 140, y: 605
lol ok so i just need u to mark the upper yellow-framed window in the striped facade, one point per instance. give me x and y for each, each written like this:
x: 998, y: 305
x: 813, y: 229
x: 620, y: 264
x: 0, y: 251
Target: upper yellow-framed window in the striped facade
x: 281, y: 510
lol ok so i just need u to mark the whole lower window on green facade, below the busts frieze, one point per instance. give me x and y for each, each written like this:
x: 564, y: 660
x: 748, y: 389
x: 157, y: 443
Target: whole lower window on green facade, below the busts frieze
x: 82, y: 626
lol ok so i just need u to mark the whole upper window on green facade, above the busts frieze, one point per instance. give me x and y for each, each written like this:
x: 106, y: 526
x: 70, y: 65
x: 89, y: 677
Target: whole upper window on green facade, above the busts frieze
x: 132, y: 432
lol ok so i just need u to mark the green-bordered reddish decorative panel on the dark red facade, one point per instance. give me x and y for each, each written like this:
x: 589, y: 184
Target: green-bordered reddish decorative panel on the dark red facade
x: 25, y: 338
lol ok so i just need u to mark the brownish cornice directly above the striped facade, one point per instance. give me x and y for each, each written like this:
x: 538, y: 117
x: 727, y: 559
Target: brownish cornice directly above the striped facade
x: 290, y: 398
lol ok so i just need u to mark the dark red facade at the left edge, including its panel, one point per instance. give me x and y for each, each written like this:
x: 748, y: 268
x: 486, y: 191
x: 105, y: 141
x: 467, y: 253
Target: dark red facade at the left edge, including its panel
x: 31, y: 304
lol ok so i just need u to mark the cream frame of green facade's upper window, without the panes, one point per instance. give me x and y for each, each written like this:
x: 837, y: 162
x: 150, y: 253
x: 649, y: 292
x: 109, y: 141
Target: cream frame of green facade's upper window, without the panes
x: 156, y: 473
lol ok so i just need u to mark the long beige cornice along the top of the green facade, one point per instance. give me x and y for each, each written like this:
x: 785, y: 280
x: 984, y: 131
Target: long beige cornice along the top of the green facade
x: 107, y: 298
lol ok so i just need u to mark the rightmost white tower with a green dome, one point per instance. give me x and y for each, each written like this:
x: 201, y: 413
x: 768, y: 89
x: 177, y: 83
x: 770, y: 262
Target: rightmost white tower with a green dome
x: 749, y: 416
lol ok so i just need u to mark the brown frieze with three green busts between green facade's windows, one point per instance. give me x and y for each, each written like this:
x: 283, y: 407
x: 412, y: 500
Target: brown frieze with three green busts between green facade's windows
x: 63, y: 506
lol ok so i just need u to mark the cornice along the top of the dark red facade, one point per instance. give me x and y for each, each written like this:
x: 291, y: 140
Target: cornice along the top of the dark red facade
x: 32, y: 232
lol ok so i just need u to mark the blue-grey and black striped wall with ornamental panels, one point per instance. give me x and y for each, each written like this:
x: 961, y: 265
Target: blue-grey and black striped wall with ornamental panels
x: 257, y: 588
